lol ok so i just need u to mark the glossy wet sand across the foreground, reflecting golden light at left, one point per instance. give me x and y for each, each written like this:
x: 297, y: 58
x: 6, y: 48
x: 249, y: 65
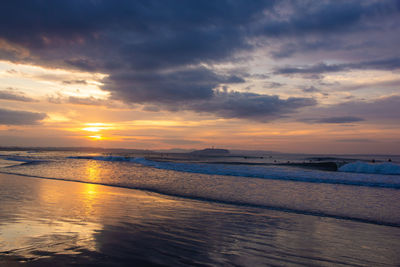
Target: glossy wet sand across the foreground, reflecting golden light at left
x: 63, y: 223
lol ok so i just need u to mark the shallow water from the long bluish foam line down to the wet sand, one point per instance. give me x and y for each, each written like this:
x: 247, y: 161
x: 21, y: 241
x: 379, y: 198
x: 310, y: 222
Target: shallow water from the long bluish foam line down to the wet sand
x: 363, y: 197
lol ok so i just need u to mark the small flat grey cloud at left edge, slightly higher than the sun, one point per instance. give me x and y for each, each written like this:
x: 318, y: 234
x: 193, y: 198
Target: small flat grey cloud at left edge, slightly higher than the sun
x: 16, y: 117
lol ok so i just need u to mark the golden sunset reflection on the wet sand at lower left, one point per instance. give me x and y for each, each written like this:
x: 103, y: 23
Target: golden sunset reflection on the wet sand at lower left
x: 48, y: 217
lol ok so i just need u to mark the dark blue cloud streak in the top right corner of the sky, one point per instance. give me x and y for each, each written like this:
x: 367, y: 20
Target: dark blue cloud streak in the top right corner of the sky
x: 315, y: 17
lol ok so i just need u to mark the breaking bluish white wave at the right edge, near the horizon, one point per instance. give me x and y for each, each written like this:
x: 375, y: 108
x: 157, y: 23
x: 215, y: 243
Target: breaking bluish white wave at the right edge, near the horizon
x: 378, y: 168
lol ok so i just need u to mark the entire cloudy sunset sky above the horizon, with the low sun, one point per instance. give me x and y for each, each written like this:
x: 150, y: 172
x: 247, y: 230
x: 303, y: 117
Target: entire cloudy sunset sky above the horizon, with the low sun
x: 289, y: 76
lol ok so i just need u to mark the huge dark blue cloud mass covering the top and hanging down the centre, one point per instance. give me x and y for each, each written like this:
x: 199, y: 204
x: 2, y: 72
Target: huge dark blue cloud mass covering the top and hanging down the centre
x: 154, y: 52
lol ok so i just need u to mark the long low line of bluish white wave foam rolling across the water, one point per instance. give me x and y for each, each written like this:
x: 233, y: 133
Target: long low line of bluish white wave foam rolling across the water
x: 264, y: 172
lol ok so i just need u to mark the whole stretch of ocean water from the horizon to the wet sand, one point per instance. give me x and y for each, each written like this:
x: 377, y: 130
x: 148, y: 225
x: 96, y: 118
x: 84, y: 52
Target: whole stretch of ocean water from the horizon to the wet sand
x: 358, y: 190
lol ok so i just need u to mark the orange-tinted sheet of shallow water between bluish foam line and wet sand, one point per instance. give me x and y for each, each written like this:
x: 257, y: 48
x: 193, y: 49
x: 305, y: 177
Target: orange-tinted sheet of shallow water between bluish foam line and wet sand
x: 374, y: 204
